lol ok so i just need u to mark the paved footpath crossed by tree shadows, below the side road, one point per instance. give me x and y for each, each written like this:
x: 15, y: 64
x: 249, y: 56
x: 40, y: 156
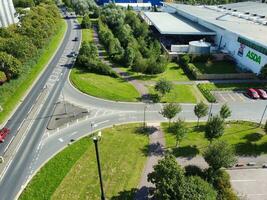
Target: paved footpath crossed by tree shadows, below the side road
x: 155, y: 153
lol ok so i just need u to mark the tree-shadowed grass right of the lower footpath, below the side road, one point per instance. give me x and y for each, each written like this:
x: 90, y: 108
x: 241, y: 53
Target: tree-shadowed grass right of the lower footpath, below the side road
x: 247, y: 138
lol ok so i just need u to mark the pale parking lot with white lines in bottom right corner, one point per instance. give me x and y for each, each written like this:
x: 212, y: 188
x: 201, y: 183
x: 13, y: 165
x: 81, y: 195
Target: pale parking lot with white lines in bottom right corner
x: 251, y: 184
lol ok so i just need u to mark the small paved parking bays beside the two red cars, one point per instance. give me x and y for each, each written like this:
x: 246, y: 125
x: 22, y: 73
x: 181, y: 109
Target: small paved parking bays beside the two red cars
x: 233, y: 96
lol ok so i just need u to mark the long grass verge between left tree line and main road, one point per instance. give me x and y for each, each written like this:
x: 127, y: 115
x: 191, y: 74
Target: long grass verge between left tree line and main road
x: 12, y: 92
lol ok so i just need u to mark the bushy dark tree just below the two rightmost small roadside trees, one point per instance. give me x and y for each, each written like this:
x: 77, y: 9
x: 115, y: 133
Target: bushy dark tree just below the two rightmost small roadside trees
x: 214, y: 128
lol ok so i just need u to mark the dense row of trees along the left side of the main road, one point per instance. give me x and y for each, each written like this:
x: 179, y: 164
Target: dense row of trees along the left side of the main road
x: 21, y: 42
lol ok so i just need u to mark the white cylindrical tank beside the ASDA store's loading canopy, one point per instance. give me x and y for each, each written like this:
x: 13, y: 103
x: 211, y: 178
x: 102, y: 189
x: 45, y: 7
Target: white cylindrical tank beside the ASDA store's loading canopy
x: 199, y: 47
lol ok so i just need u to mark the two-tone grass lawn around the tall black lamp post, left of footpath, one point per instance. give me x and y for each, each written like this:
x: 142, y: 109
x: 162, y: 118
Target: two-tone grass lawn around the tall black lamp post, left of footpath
x: 72, y: 174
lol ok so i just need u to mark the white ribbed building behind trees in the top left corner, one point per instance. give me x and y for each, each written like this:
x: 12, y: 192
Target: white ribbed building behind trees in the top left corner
x: 7, y: 13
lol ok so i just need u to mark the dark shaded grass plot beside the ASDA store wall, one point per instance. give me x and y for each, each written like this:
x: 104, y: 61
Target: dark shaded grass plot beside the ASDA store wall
x: 218, y: 67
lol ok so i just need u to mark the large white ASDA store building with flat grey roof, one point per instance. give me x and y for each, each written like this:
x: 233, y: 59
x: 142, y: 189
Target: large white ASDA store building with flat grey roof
x: 238, y: 29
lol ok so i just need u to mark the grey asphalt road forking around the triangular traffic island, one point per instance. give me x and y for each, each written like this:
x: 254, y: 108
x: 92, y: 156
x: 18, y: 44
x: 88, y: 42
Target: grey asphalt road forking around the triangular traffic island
x: 39, y: 145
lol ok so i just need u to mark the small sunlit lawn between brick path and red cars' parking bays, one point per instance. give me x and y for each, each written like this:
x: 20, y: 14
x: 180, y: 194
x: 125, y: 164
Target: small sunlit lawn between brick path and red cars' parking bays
x: 179, y: 94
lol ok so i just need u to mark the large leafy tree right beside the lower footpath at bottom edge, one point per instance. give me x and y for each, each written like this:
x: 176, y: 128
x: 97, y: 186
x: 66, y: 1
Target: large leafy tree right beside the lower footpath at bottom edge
x: 168, y: 178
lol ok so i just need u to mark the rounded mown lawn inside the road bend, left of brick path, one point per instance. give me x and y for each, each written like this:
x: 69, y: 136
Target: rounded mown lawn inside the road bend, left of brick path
x: 105, y: 87
